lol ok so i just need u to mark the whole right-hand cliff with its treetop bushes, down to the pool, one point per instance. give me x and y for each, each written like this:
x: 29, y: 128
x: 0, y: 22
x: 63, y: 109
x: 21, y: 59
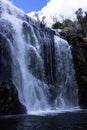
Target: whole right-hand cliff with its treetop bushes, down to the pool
x: 76, y: 34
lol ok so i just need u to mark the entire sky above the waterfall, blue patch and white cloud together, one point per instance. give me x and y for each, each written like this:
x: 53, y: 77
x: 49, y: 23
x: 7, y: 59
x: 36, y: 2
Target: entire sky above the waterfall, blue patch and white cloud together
x: 50, y: 8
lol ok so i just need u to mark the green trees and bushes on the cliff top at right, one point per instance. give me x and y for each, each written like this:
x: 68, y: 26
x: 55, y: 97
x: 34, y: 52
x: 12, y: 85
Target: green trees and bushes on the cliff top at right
x: 78, y: 27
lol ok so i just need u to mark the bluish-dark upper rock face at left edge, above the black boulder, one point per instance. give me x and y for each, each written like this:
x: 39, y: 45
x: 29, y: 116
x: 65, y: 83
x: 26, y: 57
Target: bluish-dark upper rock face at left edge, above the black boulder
x: 5, y: 59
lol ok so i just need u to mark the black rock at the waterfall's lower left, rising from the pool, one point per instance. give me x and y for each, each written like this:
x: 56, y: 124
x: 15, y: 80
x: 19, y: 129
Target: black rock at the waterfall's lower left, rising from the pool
x: 9, y: 103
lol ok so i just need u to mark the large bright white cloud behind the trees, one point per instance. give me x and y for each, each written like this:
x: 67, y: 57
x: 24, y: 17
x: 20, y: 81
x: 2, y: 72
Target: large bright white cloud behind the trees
x: 61, y: 7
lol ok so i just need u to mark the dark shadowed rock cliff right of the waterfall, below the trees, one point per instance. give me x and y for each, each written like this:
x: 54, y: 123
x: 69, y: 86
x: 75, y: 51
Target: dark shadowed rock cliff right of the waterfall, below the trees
x: 79, y: 52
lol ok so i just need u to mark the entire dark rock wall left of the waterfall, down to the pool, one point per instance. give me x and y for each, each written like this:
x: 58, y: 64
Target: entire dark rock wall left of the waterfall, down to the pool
x: 9, y: 102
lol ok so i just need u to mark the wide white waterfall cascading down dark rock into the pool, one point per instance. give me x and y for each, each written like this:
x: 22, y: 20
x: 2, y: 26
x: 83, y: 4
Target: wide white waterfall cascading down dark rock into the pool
x: 42, y: 69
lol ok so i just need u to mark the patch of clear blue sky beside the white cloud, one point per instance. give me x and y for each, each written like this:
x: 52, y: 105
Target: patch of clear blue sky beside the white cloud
x: 30, y: 5
